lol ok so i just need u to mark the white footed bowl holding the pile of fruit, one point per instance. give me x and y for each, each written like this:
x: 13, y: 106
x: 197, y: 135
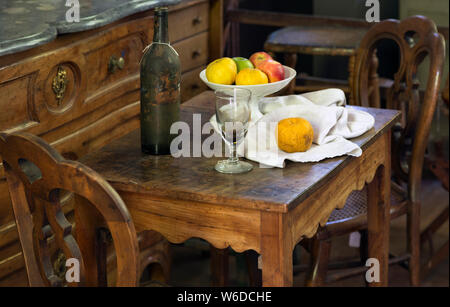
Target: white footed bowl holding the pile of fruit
x: 258, y: 91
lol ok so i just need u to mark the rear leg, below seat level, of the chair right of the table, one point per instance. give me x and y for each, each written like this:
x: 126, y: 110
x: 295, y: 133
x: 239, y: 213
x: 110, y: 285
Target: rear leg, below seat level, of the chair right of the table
x: 414, y: 243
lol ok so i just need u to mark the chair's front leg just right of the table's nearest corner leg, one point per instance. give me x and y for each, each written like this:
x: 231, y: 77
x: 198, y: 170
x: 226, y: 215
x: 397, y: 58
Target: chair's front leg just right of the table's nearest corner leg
x: 320, y: 255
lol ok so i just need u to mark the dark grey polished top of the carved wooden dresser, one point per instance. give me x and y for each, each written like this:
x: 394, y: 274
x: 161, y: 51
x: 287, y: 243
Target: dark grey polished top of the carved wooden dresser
x: 26, y: 24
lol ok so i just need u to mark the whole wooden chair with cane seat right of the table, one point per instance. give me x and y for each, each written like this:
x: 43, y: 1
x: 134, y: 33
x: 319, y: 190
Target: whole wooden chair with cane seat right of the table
x: 416, y: 37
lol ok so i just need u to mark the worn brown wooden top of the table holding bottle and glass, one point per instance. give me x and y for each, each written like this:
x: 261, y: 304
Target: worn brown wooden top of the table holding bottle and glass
x: 194, y: 179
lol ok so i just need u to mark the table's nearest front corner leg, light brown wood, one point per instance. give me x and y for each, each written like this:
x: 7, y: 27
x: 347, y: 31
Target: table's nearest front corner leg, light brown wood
x: 276, y: 252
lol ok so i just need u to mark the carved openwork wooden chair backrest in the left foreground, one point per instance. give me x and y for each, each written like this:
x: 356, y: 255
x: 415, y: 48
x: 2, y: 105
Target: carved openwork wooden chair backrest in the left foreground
x: 37, y: 175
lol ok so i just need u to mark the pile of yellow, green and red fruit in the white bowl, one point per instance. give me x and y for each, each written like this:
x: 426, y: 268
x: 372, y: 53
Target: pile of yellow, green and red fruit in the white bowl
x: 259, y: 69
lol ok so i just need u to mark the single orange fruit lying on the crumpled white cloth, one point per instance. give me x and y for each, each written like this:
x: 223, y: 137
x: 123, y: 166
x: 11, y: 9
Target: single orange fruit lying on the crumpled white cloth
x: 294, y: 135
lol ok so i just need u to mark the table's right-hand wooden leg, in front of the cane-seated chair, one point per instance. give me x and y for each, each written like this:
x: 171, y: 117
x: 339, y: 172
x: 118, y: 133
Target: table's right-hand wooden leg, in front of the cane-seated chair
x: 378, y: 196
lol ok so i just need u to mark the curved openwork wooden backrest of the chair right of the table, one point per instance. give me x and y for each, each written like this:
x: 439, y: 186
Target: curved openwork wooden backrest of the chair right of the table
x: 416, y: 37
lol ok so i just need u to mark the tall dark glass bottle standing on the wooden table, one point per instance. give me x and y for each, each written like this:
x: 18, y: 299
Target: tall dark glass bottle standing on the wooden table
x: 160, y: 89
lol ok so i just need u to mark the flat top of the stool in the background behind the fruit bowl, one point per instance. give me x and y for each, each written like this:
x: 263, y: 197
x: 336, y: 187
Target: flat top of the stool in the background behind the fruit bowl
x: 319, y: 40
